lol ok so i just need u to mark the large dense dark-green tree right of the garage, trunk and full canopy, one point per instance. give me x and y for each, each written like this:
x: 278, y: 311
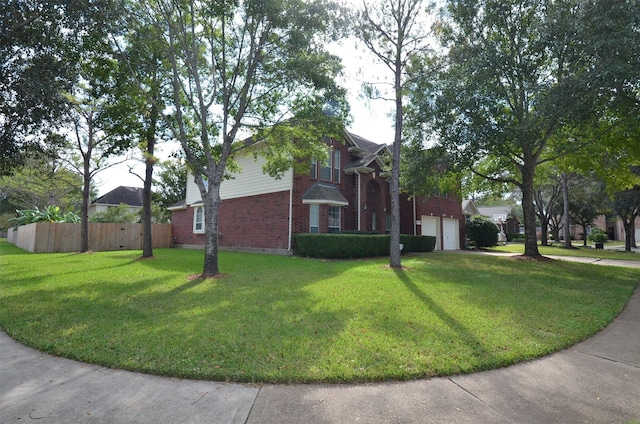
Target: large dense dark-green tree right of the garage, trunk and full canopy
x: 519, y: 77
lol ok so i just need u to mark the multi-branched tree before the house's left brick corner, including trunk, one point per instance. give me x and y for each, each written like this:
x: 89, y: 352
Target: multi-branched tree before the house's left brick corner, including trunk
x: 254, y: 68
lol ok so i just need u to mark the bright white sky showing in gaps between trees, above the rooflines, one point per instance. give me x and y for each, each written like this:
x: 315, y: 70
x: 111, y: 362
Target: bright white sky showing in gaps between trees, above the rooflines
x: 371, y: 119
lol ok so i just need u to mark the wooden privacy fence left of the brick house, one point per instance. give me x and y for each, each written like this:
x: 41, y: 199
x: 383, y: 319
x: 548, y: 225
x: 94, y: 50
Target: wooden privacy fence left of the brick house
x: 46, y: 237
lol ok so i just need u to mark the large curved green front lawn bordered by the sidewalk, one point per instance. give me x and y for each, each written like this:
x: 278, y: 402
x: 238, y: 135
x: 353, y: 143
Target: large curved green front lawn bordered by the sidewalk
x: 288, y: 319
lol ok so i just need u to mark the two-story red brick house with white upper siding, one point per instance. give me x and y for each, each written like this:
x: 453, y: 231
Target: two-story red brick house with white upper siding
x: 349, y: 191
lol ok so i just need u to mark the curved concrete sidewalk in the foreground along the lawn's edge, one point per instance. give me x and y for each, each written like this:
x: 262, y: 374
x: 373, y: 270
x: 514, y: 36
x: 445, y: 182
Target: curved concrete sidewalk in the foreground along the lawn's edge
x: 596, y: 381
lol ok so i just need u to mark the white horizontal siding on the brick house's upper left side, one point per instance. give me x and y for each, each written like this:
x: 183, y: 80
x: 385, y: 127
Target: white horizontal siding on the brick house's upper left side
x: 250, y: 181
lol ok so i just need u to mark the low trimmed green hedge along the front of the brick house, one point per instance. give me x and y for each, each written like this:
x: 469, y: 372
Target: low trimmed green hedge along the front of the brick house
x: 357, y: 245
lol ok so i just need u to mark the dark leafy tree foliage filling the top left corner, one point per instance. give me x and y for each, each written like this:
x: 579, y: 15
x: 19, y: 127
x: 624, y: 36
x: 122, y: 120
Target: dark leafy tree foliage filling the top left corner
x: 40, y: 43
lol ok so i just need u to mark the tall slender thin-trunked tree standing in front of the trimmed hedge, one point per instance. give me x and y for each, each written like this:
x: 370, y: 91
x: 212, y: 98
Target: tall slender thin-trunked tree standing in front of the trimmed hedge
x: 395, y: 31
